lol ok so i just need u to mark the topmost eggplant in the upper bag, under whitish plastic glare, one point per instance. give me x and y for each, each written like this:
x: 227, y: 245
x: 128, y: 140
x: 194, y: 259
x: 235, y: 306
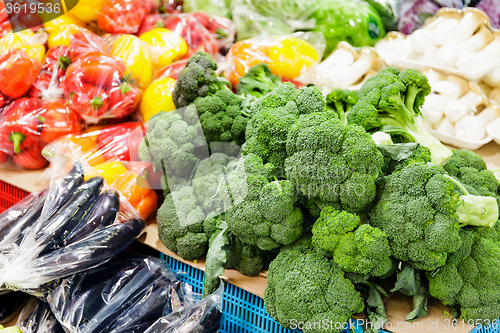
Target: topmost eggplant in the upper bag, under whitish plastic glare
x: 68, y: 185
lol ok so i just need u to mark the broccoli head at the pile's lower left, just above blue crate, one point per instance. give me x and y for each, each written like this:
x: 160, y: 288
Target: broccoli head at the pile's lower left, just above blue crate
x: 180, y: 224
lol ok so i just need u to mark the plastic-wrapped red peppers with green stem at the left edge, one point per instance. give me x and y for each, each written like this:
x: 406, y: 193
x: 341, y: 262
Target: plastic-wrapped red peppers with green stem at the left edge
x: 28, y: 124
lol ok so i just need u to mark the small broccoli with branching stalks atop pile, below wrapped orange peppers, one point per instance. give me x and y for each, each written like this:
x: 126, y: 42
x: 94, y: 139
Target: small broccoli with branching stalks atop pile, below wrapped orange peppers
x: 258, y: 81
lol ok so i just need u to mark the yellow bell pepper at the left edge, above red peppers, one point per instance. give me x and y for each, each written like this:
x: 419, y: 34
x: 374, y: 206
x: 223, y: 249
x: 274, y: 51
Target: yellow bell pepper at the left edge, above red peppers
x: 25, y: 40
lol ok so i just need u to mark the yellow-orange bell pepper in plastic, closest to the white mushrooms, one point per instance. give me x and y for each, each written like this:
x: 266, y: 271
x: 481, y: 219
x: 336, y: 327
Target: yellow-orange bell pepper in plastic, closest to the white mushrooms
x: 290, y: 56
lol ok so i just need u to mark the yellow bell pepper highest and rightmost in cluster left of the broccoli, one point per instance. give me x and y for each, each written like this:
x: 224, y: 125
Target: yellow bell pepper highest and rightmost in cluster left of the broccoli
x: 166, y: 46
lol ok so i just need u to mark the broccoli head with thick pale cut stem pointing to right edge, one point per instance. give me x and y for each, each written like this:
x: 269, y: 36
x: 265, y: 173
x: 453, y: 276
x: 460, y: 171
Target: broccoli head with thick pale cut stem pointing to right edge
x: 421, y: 209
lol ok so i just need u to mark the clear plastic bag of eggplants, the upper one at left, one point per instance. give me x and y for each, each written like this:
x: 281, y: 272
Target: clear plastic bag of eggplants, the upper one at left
x: 75, y: 224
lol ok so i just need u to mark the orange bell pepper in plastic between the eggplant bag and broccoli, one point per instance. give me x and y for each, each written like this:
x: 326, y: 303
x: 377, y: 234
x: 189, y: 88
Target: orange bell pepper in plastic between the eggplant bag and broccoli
x: 133, y: 187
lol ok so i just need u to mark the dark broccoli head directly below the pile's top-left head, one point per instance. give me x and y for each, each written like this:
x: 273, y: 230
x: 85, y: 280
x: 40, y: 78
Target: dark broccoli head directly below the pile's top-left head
x: 222, y: 121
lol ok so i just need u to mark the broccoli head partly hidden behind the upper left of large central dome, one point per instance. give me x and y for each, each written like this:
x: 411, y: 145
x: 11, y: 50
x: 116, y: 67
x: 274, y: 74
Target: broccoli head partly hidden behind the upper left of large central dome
x: 272, y: 116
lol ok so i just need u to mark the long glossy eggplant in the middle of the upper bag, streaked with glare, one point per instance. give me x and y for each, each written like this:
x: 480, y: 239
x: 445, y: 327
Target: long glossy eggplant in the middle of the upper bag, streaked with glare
x: 75, y: 208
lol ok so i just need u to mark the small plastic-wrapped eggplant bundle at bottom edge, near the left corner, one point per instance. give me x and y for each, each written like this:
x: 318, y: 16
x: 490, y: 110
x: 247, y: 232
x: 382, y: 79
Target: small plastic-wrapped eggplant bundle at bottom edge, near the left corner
x: 36, y: 317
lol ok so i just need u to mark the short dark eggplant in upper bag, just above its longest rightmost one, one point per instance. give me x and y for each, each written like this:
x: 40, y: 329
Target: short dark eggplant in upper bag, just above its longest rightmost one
x: 103, y: 214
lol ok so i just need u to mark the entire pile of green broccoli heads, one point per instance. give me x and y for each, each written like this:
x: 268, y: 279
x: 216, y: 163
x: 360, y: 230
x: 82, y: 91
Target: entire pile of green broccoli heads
x: 330, y: 193
